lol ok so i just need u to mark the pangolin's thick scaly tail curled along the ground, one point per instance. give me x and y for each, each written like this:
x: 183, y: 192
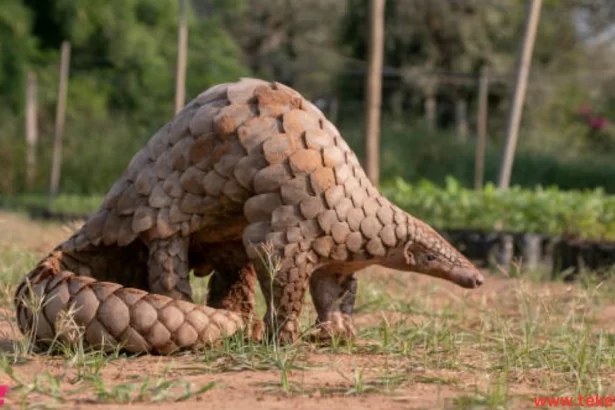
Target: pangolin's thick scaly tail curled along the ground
x: 111, y: 315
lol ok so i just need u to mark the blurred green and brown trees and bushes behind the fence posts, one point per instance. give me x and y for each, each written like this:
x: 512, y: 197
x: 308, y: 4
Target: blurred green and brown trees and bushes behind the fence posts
x: 122, y: 81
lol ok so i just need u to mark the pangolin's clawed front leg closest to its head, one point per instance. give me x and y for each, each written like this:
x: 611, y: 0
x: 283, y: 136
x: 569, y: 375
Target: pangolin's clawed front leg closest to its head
x: 334, y: 297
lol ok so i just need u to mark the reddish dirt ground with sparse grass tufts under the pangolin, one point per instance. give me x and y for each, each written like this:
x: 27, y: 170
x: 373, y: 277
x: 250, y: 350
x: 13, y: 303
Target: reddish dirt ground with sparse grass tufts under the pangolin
x: 424, y: 344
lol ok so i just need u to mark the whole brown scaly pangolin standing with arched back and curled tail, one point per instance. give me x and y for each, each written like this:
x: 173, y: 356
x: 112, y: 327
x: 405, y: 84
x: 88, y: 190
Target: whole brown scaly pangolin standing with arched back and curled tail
x: 245, y: 167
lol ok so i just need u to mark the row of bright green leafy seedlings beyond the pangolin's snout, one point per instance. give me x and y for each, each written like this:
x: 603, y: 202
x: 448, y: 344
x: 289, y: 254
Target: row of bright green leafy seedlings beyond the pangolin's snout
x: 589, y: 213
